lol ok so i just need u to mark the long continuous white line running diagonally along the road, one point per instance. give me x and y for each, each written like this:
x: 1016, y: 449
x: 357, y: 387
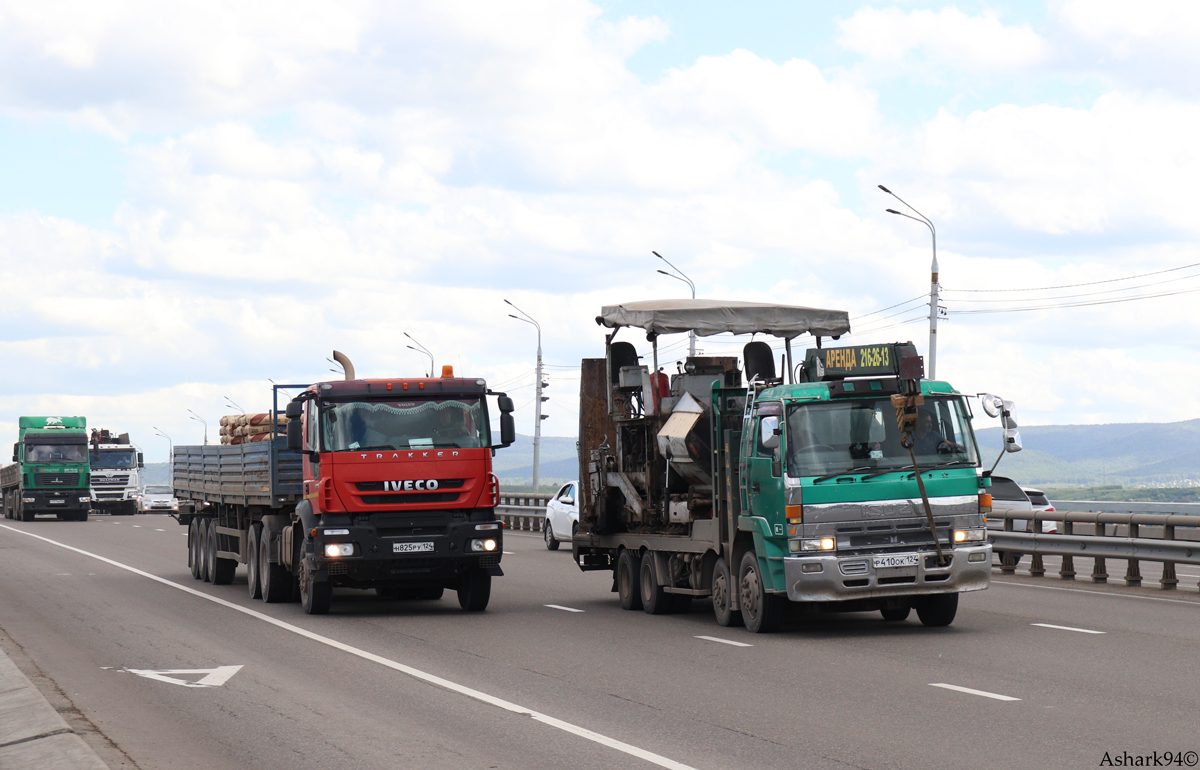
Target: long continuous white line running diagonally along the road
x: 416, y: 673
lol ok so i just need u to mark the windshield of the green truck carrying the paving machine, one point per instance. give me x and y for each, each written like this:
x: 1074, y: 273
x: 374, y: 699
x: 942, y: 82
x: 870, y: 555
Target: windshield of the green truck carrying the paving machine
x: 833, y: 437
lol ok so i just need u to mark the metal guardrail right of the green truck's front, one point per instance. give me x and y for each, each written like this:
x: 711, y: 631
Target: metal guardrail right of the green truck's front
x: 1163, y: 536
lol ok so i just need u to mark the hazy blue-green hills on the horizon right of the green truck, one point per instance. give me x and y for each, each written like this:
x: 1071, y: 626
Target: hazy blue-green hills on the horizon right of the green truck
x: 1129, y: 455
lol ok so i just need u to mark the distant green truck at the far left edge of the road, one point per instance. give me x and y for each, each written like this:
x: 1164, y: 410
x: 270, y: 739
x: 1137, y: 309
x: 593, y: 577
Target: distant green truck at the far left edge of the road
x: 52, y: 472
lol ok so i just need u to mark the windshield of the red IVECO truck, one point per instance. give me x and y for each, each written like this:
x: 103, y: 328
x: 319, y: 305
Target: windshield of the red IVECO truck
x: 417, y: 424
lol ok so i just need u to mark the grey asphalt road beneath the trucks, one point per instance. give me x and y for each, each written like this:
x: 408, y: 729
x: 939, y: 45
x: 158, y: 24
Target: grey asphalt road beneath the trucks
x: 392, y: 684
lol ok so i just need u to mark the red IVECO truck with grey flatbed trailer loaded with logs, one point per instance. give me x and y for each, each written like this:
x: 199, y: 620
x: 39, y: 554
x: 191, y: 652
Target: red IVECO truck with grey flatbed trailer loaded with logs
x: 376, y: 484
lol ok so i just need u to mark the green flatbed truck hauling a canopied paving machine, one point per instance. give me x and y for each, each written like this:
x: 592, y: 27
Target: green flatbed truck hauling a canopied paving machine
x: 845, y: 482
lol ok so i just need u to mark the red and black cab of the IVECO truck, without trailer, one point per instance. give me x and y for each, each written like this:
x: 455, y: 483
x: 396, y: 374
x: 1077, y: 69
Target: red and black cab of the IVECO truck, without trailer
x: 399, y: 491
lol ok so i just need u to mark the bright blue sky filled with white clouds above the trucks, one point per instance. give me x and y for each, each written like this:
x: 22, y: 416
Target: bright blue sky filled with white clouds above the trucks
x: 201, y: 198
